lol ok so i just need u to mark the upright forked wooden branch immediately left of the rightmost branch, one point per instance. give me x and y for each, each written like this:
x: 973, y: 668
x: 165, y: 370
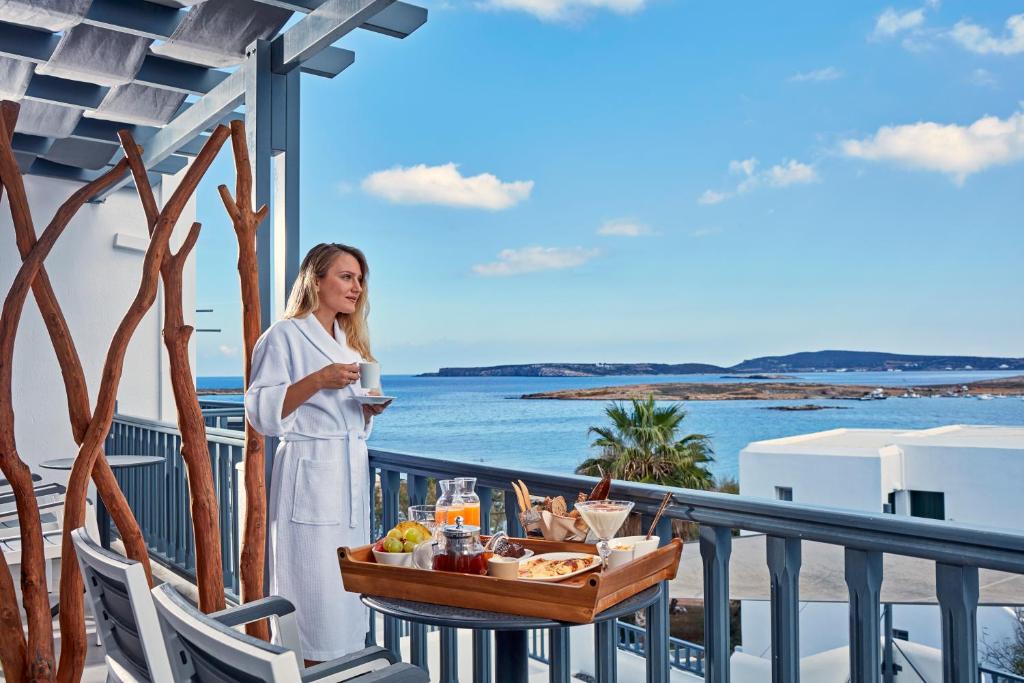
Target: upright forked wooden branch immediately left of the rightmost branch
x: 195, y: 451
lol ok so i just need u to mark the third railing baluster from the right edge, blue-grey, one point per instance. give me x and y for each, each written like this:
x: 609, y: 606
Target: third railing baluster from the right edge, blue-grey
x: 784, y: 569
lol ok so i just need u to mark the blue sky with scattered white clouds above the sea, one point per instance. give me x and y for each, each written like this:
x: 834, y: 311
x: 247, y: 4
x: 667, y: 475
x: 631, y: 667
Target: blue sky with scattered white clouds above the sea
x: 665, y: 181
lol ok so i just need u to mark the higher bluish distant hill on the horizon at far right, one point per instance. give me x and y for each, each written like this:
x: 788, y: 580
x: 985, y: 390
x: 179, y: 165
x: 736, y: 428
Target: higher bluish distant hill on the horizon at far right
x: 809, y: 362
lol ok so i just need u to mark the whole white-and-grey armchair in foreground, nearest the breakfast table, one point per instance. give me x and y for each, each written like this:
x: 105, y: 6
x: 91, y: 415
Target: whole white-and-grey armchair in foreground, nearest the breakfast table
x: 204, y: 649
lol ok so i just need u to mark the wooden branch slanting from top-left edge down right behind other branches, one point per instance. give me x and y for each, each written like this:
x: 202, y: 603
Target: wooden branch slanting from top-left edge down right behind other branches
x: 76, y: 388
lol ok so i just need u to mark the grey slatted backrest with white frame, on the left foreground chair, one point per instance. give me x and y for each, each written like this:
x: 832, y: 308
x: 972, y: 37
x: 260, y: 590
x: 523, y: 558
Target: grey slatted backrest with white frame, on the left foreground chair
x: 122, y: 604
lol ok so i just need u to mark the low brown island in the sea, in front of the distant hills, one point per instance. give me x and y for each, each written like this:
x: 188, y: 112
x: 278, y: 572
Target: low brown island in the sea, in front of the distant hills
x: 1010, y: 387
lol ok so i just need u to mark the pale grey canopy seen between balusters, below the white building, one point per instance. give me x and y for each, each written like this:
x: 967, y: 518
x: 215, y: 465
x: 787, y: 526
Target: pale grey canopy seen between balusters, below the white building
x: 905, y: 580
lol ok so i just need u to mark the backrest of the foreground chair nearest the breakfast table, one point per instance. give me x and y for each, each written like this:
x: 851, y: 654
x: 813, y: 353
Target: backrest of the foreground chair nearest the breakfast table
x: 203, y: 651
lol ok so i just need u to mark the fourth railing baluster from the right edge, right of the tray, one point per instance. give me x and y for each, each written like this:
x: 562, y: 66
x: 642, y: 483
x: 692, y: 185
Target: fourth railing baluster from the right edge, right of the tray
x: 716, y: 546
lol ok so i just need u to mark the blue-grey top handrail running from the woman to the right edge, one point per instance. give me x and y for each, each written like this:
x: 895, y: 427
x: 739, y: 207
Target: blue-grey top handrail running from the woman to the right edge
x: 941, y: 541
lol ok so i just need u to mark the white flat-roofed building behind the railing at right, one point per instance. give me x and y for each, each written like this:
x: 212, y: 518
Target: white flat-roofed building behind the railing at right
x: 970, y: 475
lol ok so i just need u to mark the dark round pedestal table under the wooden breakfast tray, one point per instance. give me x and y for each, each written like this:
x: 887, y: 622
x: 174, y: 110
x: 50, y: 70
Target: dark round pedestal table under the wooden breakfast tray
x: 510, y: 630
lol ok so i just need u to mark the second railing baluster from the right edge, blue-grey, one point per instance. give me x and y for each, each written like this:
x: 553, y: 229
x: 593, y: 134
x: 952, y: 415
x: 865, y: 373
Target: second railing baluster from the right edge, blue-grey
x: 864, y: 579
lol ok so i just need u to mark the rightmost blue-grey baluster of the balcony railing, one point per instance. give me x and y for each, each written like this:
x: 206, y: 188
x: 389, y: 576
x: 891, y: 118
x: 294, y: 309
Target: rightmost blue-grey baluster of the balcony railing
x: 957, y: 588
